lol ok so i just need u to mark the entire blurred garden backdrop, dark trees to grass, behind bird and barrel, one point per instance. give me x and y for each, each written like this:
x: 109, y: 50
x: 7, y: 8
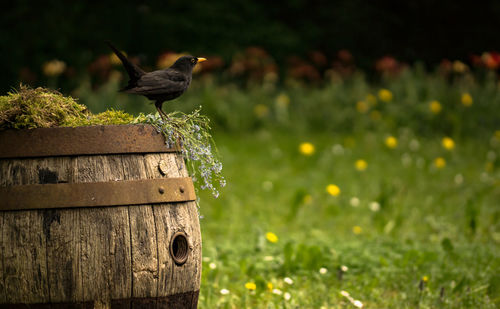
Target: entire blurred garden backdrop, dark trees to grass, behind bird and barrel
x: 360, y: 139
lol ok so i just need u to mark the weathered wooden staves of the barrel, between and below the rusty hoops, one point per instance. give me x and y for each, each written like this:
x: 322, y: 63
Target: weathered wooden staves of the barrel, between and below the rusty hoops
x: 97, y: 257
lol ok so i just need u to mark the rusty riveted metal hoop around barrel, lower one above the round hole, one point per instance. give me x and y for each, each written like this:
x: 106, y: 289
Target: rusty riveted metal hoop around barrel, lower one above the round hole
x: 97, y: 194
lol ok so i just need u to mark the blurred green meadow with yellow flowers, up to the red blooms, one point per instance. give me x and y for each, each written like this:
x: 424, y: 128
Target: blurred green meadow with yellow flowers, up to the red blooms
x: 353, y: 194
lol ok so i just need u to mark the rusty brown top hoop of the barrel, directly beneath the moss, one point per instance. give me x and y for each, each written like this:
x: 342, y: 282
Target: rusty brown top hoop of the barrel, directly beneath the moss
x: 87, y: 140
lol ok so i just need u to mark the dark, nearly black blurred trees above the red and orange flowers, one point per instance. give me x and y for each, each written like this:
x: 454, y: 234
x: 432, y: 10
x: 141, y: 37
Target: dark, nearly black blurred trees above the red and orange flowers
x: 33, y: 32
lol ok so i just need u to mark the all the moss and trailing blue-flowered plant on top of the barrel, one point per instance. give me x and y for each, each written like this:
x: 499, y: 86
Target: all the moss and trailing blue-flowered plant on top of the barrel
x: 41, y: 108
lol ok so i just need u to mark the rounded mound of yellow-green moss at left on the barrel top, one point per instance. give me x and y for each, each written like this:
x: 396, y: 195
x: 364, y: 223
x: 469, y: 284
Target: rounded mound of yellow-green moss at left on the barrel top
x: 30, y: 108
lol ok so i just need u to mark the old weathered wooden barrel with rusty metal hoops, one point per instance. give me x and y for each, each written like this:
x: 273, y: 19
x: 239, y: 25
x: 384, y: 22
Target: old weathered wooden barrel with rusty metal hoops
x: 96, y: 217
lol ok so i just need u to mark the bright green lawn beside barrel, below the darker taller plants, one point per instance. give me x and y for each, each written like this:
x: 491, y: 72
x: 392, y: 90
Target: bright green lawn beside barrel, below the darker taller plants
x: 431, y: 223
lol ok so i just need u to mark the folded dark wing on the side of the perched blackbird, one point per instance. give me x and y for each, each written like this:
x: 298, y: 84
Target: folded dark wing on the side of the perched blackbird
x: 160, y: 82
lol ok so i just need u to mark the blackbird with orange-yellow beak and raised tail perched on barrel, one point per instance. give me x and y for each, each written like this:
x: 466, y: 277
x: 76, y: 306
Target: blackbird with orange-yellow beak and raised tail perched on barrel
x: 162, y: 85
